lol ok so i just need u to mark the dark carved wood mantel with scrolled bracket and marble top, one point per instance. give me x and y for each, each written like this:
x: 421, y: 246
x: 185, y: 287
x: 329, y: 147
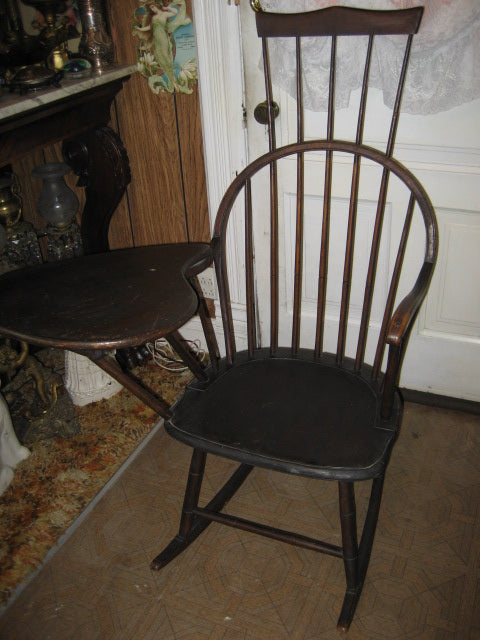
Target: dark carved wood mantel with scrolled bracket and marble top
x: 77, y: 114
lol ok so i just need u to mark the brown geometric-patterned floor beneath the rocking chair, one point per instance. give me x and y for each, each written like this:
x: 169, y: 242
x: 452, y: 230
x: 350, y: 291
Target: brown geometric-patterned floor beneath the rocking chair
x: 423, y: 581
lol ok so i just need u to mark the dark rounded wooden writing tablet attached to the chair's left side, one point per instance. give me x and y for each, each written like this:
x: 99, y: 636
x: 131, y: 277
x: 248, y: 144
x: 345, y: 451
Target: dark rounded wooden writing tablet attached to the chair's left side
x: 103, y: 301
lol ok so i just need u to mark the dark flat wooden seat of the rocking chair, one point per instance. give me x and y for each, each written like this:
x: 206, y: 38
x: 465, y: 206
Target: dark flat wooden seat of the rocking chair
x: 290, y: 414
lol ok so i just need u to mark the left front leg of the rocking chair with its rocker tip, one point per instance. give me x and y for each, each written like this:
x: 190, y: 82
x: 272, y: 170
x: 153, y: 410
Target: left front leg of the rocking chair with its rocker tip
x: 187, y: 533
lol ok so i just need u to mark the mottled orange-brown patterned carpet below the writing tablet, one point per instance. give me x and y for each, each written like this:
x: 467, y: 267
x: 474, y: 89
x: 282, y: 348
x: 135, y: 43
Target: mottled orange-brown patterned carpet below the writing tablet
x: 63, y: 474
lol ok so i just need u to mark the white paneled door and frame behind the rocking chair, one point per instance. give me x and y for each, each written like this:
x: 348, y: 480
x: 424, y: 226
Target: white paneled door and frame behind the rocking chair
x: 442, y: 150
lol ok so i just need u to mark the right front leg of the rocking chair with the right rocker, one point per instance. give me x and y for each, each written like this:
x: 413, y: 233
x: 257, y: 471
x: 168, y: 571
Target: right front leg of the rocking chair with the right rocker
x: 356, y: 558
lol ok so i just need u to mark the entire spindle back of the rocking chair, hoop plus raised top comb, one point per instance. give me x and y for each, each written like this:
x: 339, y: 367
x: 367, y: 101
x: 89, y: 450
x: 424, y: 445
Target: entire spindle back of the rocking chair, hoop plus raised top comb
x: 358, y: 161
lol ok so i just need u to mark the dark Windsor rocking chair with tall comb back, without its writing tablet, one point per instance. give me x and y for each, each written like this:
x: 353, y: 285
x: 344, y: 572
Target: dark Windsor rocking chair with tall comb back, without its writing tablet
x: 330, y: 410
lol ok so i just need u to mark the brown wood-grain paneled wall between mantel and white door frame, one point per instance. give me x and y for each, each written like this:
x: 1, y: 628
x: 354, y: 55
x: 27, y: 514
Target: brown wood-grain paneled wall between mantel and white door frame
x: 166, y: 200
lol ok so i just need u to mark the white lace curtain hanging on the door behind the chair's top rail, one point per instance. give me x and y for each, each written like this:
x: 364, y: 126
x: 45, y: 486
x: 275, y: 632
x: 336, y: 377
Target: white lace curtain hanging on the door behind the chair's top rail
x: 444, y: 69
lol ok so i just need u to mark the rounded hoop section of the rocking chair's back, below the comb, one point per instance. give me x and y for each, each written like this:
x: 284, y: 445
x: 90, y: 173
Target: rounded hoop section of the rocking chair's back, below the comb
x: 393, y: 326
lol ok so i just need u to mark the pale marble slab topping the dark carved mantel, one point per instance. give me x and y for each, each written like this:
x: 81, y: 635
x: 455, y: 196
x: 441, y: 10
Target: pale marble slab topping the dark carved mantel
x: 13, y: 104
